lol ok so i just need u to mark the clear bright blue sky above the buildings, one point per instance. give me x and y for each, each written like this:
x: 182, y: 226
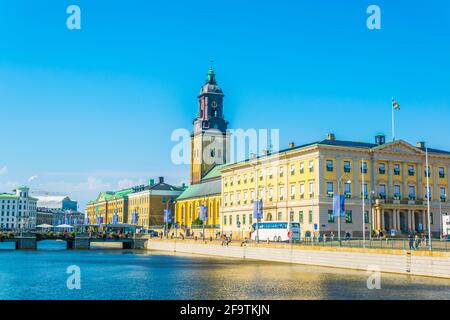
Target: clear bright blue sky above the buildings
x: 92, y: 109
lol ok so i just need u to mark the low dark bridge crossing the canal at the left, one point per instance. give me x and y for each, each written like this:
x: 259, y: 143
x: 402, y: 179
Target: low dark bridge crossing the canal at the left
x: 80, y: 241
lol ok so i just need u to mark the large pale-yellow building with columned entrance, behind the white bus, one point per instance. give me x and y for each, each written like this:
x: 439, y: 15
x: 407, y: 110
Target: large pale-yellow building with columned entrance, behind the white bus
x: 301, y: 181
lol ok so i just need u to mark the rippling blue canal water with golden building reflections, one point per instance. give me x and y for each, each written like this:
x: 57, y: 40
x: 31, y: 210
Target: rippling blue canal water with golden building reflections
x: 127, y: 274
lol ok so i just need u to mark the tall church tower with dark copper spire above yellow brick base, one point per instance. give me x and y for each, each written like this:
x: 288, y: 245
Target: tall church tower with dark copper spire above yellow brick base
x: 209, y: 140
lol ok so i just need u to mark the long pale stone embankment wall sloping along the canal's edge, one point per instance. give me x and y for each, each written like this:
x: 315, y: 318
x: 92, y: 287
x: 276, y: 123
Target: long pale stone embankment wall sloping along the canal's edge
x: 413, y: 262
